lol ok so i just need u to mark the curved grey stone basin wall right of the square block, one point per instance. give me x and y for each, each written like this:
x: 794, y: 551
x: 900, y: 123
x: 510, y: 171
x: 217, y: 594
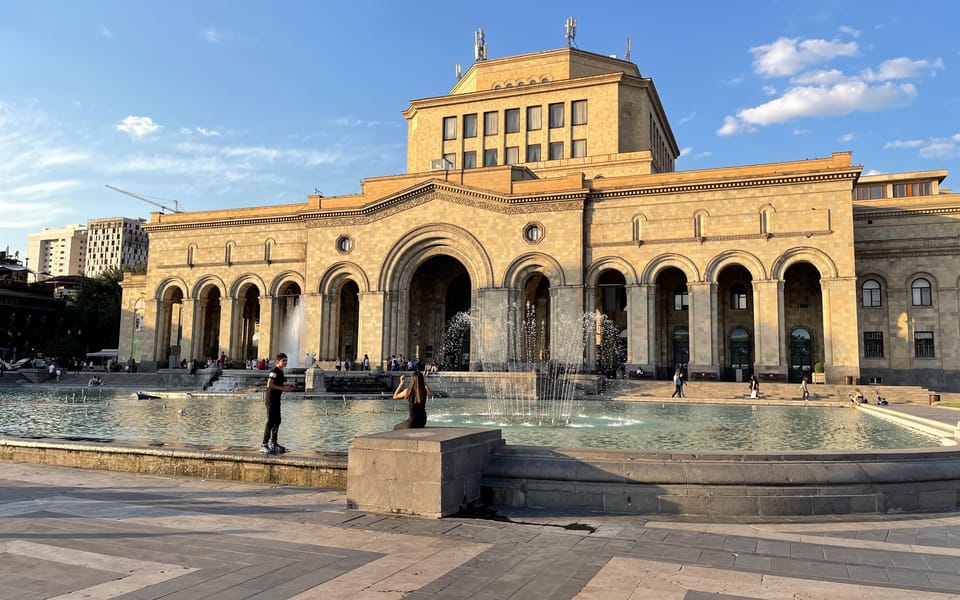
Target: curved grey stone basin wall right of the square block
x: 723, y: 483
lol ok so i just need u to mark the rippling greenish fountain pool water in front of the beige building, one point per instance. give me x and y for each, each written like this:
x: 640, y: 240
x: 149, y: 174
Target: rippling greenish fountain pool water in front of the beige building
x: 331, y: 424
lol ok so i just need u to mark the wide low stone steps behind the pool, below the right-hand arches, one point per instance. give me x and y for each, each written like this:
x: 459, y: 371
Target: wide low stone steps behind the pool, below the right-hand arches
x: 723, y: 390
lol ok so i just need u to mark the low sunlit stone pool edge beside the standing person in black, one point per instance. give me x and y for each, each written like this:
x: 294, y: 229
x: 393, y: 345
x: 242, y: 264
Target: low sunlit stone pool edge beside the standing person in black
x: 322, y: 470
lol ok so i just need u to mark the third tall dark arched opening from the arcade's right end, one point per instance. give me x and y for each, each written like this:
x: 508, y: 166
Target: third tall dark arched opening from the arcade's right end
x: 672, y: 313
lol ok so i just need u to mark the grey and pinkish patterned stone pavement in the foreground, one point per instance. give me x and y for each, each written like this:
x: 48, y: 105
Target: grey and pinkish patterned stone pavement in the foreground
x: 69, y: 533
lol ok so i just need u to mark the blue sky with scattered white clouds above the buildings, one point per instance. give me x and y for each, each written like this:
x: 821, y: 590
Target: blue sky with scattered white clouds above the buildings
x: 237, y: 103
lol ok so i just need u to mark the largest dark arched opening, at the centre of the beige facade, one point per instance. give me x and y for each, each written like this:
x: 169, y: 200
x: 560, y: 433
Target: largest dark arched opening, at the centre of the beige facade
x: 440, y: 290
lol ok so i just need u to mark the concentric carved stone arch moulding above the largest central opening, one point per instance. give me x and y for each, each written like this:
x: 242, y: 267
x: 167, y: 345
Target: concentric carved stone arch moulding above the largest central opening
x: 437, y: 239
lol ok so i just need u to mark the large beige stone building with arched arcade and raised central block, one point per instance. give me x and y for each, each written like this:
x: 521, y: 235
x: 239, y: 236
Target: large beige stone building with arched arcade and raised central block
x: 541, y: 194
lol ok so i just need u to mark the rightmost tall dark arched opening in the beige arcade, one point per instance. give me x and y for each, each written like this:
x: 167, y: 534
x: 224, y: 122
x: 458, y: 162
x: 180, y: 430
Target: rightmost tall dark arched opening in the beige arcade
x: 803, y: 314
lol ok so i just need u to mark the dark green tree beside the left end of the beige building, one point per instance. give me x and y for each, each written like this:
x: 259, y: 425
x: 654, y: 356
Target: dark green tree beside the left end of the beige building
x: 96, y: 305
